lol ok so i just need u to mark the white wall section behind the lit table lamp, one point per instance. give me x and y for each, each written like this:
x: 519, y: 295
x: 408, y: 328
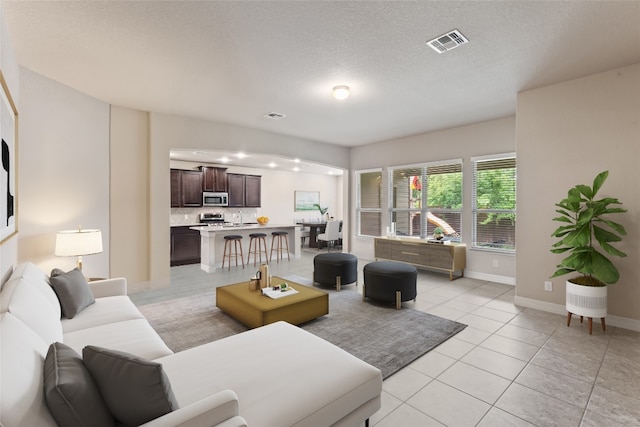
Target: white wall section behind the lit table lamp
x: 64, y: 171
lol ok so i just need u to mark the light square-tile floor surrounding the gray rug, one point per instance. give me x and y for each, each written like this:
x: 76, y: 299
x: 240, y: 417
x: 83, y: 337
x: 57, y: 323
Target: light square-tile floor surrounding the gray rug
x: 510, y: 367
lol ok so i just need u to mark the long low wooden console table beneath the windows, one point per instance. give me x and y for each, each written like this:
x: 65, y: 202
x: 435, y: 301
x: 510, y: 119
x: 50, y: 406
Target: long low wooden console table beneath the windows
x: 451, y: 257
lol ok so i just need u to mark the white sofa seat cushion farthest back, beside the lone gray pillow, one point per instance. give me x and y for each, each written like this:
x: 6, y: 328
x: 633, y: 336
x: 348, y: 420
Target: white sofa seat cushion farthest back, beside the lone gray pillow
x: 104, y: 311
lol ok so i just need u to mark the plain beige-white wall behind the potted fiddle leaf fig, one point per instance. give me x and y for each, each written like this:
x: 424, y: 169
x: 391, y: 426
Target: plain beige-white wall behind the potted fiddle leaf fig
x: 567, y: 134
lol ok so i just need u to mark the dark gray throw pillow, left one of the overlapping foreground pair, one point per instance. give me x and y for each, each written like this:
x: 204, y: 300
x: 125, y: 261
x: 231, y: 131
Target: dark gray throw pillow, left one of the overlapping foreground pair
x: 70, y: 392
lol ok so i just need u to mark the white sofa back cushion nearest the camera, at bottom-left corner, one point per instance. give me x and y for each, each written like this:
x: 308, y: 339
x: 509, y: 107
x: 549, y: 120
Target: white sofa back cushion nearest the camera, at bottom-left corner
x: 22, y: 354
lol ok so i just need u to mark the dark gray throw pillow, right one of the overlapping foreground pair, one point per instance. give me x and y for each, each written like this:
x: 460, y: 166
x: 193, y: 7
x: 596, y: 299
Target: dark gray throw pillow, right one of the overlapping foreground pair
x: 135, y: 390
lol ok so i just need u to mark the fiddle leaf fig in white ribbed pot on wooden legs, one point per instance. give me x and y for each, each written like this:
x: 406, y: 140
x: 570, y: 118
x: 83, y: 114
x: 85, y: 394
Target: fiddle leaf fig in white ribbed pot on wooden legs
x: 586, y: 236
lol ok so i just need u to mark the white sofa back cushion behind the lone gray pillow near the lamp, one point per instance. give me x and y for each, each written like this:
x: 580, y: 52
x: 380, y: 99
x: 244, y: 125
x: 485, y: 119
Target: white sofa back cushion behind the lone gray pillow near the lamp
x: 31, y: 305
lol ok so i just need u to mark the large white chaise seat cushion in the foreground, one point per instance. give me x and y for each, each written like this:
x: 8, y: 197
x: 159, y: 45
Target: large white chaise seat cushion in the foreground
x: 324, y: 383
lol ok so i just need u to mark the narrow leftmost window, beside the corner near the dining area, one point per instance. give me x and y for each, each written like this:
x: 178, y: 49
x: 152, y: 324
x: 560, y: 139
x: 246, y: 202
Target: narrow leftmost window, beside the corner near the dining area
x: 369, y: 202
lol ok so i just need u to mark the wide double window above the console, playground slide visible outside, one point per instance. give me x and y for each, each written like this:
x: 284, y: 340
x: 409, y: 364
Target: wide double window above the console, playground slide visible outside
x: 426, y: 196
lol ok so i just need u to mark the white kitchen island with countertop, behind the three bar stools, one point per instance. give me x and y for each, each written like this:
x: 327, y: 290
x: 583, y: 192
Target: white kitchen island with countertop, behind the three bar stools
x: 212, y: 240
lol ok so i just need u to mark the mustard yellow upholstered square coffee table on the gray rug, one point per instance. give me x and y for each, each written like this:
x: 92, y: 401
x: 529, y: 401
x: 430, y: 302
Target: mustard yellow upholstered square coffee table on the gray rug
x: 253, y: 309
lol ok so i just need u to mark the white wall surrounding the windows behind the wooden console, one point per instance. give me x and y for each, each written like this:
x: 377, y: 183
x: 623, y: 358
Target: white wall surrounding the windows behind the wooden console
x: 491, y: 137
